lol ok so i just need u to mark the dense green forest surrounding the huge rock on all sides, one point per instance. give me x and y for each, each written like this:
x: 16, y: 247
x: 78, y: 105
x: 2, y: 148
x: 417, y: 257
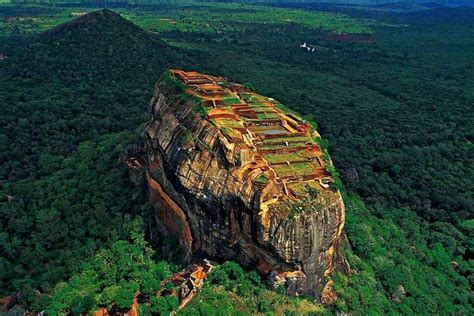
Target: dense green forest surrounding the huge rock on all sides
x: 395, y: 105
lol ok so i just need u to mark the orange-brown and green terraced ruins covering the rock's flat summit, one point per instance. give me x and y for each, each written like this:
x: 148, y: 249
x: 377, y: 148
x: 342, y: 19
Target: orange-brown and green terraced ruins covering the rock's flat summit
x: 271, y: 138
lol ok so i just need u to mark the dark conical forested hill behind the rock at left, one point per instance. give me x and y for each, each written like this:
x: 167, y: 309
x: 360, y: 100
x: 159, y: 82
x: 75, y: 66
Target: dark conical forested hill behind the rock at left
x: 82, y: 79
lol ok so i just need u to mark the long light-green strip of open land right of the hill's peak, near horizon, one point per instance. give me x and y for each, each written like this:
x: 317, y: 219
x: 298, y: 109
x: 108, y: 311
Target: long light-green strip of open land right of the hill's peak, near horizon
x: 220, y: 17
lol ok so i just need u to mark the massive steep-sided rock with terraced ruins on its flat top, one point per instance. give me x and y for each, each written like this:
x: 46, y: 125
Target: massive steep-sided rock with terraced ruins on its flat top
x: 236, y: 176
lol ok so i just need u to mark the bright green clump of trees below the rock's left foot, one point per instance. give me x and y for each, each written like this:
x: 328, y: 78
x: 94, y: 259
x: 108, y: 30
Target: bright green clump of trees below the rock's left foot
x: 114, y: 276
